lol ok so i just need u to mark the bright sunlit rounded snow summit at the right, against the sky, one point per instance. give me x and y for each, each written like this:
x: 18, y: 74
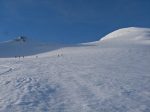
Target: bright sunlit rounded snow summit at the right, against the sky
x: 128, y: 34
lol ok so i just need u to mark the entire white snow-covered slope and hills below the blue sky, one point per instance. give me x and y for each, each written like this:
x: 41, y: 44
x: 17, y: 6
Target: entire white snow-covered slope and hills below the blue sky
x: 110, y: 75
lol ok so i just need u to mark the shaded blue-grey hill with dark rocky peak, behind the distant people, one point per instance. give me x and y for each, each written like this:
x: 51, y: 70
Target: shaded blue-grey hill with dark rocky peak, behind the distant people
x: 24, y: 47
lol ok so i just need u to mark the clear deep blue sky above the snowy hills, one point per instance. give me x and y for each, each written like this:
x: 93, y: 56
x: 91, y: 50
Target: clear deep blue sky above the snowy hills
x: 70, y: 21
